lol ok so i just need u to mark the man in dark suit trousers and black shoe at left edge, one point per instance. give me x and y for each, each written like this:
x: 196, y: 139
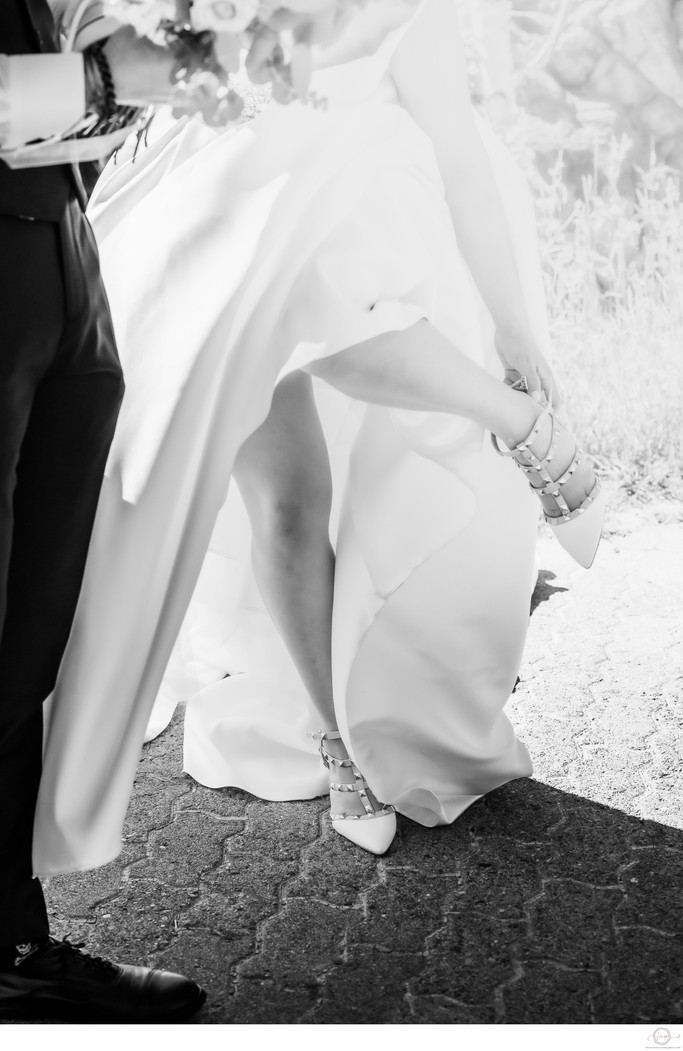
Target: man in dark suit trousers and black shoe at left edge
x: 60, y: 391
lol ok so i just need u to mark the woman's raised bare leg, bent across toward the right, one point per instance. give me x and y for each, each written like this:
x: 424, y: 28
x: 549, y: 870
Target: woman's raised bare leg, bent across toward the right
x: 421, y: 369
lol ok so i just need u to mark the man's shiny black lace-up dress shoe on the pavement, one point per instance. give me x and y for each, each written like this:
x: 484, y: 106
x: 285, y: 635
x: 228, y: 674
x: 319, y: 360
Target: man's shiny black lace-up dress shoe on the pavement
x: 60, y: 981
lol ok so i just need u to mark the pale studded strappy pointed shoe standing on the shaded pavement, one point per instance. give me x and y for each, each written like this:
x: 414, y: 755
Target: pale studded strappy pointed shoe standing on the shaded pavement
x: 375, y: 830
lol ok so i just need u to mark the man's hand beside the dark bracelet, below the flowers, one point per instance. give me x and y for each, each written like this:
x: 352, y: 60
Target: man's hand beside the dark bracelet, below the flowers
x: 141, y: 71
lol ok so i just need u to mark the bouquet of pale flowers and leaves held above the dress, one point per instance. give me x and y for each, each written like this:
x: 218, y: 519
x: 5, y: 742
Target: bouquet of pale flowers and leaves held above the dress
x: 209, y: 37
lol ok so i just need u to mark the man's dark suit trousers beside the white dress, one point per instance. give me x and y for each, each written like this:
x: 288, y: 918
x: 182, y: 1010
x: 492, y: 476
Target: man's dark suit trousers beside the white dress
x: 60, y: 391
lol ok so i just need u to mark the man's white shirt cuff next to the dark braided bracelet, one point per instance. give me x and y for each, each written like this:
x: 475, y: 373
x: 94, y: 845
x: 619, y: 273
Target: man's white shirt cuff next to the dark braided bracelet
x: 46, y: 96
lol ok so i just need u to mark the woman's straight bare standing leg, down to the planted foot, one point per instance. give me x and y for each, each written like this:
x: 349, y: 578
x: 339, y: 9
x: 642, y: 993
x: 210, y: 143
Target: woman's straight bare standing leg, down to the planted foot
x: 284, y: 478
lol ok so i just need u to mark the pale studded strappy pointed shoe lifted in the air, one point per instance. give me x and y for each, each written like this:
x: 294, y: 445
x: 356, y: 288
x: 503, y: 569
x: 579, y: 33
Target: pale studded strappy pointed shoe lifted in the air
x: 578, y: 530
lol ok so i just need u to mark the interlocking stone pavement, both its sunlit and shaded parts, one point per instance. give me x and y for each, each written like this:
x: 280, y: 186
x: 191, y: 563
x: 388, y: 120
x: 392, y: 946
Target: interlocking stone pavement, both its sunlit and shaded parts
x: 557, y: 899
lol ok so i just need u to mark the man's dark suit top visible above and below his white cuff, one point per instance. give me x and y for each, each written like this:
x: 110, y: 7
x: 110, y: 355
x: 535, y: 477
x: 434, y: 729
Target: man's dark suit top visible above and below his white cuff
x: 27, y: 28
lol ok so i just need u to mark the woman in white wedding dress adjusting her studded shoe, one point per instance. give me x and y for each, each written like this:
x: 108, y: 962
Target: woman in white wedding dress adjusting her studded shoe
x: 332, y: 307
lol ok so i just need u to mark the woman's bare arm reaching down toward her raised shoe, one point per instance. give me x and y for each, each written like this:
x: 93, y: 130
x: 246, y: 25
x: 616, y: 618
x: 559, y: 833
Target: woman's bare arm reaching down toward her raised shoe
x: 430, y: 73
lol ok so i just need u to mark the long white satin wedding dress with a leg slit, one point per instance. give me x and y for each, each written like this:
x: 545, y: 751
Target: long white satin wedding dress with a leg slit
x: 232, y: 260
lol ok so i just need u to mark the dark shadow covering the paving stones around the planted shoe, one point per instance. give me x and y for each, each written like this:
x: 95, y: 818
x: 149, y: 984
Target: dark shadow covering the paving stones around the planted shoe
x: 537, y: 906
